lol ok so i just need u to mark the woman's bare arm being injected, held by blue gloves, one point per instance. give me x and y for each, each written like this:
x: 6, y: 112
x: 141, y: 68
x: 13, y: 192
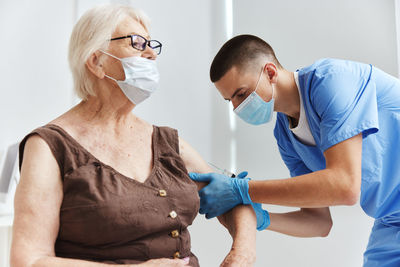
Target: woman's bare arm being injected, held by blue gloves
x: 241, y: 221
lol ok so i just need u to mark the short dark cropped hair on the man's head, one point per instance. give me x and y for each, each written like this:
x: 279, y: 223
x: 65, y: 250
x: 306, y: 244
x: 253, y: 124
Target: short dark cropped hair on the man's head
x: 240, y: 51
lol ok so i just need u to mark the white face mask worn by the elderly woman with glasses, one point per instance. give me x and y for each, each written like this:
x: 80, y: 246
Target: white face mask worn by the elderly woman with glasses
x: 141, y: 77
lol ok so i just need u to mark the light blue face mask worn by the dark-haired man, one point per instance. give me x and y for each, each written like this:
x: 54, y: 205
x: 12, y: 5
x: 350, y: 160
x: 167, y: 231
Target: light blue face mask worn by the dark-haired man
x: 254, y: 109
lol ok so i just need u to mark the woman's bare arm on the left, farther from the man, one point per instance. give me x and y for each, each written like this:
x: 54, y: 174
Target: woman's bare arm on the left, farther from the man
x: 37, y: 204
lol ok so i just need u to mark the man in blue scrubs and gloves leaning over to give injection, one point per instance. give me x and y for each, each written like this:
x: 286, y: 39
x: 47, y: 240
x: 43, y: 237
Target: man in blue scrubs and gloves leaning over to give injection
x: 338, y: 132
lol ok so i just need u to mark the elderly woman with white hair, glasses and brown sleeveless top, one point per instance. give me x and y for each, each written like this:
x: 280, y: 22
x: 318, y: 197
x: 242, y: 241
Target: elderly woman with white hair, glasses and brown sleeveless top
x: 101, y: 186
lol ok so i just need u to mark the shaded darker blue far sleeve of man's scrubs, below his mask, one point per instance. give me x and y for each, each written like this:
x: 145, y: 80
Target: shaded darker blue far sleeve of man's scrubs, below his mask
x: 292, y: 160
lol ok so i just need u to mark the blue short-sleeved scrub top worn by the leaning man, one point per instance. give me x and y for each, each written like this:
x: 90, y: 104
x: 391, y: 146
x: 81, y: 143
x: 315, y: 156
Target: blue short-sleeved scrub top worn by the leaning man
x: 343, y: 99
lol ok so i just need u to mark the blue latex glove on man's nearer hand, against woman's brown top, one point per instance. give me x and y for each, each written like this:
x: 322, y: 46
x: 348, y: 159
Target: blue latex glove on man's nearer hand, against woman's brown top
x: 222, y: 193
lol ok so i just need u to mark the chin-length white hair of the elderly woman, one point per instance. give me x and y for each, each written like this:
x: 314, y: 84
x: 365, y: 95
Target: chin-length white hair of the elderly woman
x: 92, y: 32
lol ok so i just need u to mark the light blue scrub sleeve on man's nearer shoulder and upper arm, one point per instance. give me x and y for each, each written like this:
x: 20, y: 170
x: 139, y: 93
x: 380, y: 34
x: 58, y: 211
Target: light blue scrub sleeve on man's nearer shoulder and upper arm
x: 347, y: 106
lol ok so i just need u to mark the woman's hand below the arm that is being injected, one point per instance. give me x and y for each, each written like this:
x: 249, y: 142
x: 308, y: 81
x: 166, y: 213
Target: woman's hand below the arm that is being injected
x: 239, y: 258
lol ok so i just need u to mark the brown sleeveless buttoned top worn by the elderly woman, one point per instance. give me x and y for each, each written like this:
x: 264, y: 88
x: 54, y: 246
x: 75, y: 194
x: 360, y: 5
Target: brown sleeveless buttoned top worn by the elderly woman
x: 108, y: 217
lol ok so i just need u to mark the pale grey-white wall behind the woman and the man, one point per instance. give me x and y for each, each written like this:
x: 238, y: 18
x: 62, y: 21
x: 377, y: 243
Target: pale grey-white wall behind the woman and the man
x: 36, y: 87
